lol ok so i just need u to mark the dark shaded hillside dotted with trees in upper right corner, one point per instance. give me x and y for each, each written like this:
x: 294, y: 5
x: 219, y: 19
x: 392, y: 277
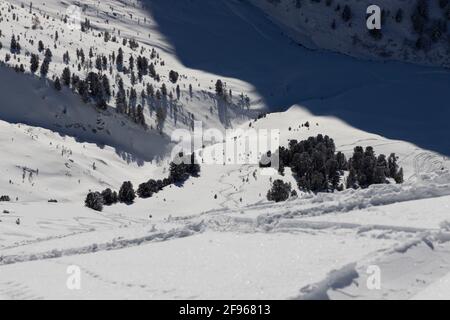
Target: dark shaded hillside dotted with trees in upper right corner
x: 411, y: 30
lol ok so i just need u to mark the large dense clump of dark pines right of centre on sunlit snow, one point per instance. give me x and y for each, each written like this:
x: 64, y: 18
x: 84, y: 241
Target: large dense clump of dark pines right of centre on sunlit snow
x: 317, y: 167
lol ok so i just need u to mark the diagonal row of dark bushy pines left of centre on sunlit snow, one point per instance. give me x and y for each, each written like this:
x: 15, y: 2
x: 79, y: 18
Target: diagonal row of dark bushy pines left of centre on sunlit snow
x: 181, y: 169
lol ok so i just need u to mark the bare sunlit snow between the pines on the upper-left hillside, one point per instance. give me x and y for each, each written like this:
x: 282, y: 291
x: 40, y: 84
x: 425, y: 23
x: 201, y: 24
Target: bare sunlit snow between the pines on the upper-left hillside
x: 123, y: 21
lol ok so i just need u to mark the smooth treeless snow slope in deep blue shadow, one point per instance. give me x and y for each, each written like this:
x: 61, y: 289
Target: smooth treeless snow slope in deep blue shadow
x: 385, y: 98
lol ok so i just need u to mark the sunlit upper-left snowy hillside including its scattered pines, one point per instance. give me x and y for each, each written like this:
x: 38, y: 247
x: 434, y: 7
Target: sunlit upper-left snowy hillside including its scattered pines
x: 144, y: 67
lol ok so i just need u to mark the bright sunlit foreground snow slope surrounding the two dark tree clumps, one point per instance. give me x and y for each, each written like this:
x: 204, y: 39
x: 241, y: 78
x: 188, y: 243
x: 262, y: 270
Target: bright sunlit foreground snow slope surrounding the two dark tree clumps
x: 233, y: 243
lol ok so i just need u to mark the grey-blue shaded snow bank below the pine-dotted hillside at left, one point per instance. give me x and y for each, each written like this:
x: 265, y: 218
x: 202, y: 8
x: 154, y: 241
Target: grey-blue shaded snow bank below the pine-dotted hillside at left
x: 34, y: 102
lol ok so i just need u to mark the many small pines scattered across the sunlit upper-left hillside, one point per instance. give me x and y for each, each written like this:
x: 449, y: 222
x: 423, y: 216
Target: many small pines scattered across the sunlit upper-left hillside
x: 117, y: 67
